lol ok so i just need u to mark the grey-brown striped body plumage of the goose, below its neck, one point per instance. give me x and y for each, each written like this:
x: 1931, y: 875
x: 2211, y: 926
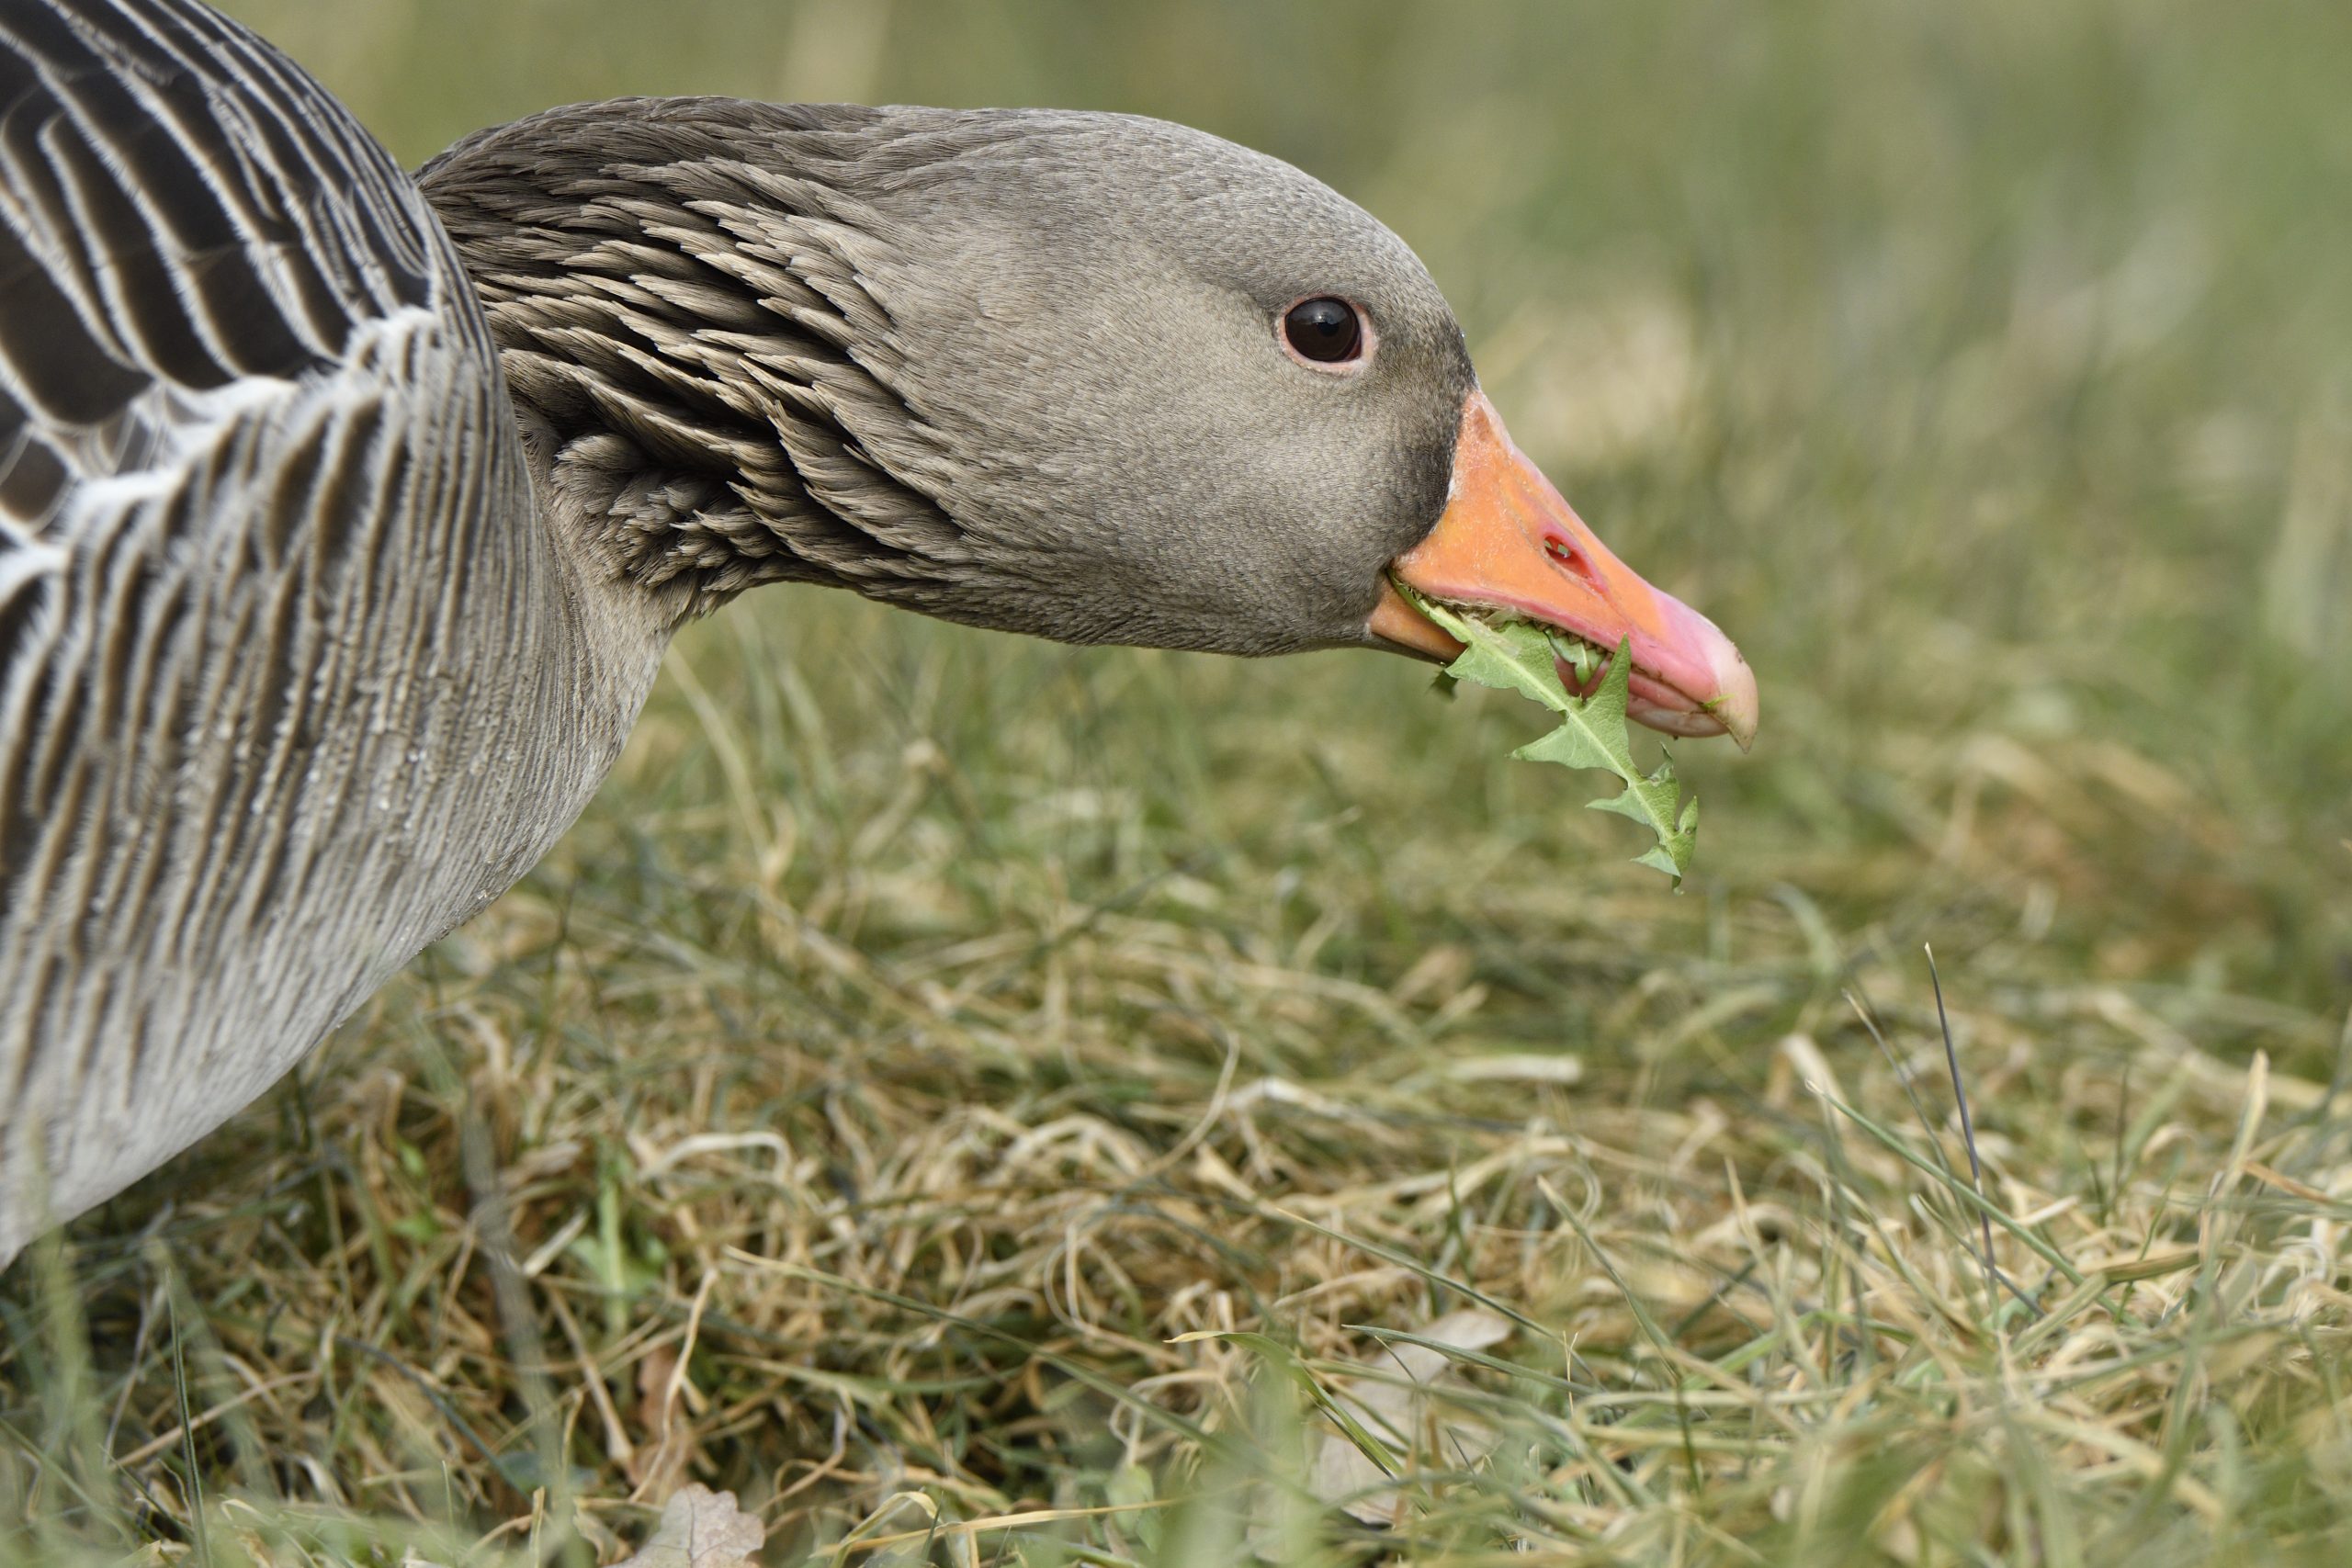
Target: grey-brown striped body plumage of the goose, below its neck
x: 290, y: 674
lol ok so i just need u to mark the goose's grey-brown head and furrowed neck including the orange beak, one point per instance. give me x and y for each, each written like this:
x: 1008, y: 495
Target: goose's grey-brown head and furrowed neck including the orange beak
x: 1088, y: 377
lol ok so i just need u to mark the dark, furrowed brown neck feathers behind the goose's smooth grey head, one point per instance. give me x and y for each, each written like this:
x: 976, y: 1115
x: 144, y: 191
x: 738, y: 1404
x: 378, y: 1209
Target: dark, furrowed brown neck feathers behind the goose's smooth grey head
x: 704, y: 373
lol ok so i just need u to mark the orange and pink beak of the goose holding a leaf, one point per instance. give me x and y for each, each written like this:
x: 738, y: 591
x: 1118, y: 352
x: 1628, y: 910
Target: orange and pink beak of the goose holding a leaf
x: 1509, y: 542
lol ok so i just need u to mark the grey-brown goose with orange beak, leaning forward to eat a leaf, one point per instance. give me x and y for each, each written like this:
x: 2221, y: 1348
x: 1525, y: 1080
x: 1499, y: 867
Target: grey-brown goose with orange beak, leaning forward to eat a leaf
x: 345, y: 516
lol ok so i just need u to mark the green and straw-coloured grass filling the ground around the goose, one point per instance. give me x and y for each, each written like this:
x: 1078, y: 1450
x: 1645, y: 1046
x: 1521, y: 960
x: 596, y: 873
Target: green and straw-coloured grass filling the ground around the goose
x: 994, y: 1104
